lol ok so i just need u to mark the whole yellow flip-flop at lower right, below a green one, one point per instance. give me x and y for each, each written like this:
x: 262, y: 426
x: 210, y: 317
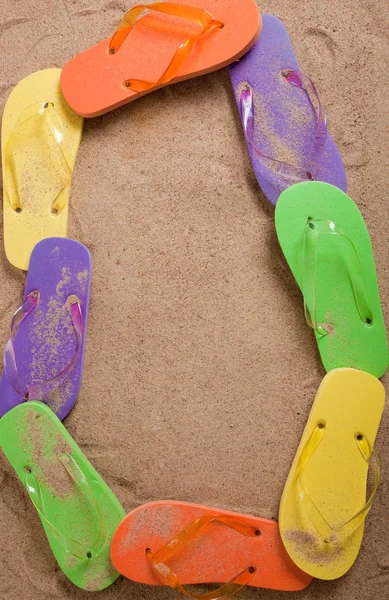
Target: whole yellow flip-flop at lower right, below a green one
x: 323, y: 506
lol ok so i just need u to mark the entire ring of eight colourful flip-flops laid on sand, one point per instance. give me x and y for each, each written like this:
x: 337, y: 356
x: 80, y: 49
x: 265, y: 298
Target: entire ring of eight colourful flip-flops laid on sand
x: 326, y: 245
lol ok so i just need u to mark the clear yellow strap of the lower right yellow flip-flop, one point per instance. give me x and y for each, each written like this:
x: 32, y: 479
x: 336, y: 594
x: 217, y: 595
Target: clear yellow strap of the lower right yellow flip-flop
x: 328, y: 532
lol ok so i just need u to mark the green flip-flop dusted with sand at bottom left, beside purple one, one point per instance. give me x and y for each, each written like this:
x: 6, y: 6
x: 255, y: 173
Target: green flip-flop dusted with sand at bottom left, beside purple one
x: 78, y: 511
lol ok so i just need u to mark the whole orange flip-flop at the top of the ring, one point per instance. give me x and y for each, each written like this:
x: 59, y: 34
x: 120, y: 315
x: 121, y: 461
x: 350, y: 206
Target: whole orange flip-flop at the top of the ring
x: 176, y: 41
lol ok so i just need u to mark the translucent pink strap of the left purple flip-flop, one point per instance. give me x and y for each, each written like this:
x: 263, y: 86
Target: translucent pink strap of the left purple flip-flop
x: 41, y: 389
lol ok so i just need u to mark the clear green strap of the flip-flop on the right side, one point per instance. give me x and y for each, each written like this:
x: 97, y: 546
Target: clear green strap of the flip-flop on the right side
x: 314, y: 231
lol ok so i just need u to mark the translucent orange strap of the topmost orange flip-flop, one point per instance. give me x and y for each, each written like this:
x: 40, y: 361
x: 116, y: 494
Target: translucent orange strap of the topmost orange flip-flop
x: 198, y: 15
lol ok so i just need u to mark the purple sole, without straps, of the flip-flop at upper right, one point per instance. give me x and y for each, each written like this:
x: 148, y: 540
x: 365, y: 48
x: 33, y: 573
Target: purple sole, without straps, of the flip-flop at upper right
x: 284, y: 116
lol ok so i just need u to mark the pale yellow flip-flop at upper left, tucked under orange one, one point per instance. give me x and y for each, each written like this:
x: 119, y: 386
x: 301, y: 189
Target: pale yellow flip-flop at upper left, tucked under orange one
x: 40, y: 140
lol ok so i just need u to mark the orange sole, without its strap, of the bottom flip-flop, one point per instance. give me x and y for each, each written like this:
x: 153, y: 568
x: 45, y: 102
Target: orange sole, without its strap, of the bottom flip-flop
x: 217, y: 555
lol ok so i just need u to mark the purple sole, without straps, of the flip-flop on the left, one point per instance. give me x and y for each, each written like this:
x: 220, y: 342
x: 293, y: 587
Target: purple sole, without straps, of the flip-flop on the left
x: 45, y: 341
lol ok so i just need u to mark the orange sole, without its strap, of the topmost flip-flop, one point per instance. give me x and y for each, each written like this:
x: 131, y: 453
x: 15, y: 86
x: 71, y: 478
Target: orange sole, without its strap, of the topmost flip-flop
x: 92, y: 82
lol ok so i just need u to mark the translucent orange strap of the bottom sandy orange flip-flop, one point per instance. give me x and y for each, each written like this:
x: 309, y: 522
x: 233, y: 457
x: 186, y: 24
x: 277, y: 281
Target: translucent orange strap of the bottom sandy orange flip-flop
x: 185, y: 537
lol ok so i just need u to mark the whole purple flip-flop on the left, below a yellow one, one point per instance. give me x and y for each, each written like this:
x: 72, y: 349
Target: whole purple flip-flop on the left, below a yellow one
x: 44, y: 353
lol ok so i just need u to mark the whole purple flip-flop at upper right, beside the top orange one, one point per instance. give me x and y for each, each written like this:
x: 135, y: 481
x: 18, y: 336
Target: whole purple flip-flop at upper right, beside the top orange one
x: 286, y: 137
